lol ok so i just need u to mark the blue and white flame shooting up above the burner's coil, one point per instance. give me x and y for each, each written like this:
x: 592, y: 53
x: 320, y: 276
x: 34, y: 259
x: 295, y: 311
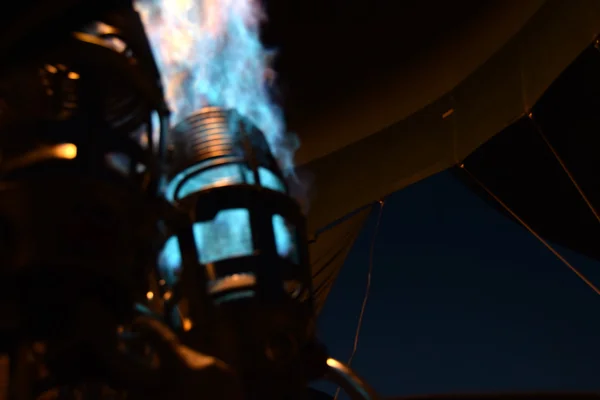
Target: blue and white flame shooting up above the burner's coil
x: 209, y: 53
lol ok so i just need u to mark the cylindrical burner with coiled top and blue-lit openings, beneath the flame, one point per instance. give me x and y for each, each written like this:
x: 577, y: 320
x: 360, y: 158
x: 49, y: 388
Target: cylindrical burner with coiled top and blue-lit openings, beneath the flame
x: 244, y: 251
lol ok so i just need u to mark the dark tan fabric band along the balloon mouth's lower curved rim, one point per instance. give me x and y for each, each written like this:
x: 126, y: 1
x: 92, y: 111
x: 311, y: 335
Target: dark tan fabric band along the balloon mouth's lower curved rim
x: 483, y: 104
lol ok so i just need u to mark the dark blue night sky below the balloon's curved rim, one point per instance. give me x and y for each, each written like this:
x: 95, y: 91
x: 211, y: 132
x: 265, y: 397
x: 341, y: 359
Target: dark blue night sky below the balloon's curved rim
x: 463, y: 300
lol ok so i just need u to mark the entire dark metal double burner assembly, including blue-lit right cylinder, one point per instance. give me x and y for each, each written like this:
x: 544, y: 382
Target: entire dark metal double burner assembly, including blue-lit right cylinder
x: 83, y: 212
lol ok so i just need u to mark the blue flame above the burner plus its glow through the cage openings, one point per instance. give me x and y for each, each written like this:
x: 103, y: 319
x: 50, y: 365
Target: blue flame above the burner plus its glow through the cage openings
x: 209, y: 53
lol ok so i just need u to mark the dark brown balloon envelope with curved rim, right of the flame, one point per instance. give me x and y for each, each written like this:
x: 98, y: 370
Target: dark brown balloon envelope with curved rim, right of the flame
x: 383, y: 94
